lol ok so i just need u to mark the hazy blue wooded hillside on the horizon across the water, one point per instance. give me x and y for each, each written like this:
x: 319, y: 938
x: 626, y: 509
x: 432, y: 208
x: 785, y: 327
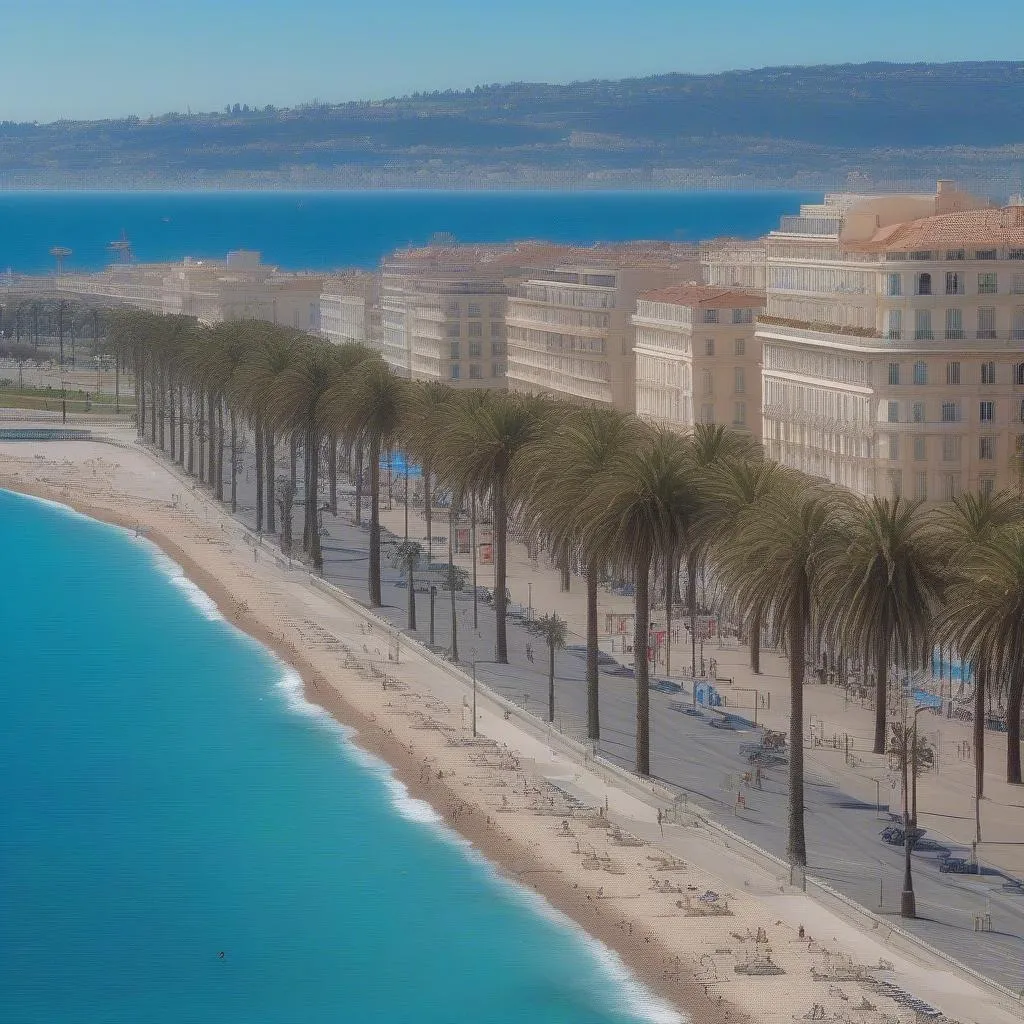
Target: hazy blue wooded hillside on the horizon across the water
x: 822, y: 126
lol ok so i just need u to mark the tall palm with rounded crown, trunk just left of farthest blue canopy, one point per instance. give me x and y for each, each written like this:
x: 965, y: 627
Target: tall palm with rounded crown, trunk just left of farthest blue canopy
x: 369, y: 406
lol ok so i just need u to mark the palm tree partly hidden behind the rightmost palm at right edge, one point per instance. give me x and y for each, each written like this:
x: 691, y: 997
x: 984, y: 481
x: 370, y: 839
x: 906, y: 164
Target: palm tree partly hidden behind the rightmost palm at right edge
x: 966, y: 523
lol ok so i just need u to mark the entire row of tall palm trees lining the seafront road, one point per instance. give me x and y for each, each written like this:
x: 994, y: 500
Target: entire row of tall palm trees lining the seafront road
x: 821, y: 570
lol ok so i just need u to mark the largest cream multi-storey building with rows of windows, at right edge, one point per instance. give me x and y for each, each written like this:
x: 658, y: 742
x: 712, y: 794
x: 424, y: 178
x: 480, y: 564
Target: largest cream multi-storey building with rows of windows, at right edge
x: 893, y: 344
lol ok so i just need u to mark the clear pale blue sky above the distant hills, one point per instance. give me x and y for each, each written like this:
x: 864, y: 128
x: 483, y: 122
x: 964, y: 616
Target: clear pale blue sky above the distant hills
x: 84, y: 59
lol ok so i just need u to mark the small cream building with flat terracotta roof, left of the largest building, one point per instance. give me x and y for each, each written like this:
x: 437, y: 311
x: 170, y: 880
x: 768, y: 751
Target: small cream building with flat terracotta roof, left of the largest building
x: 698, y: 360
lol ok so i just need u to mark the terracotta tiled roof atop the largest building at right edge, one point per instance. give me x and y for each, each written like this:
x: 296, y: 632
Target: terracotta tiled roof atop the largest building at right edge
x: 969, y: 229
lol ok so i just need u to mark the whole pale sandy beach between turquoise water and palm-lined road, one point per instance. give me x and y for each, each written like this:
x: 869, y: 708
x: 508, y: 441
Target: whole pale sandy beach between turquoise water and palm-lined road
x: 592, y: 848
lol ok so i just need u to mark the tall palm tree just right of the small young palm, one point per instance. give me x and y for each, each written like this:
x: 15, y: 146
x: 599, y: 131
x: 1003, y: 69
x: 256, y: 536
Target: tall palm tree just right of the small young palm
x: 566, y: 464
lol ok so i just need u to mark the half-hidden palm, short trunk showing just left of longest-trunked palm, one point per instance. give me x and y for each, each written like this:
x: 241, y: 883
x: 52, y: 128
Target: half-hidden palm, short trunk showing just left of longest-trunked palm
x: 734, y: 489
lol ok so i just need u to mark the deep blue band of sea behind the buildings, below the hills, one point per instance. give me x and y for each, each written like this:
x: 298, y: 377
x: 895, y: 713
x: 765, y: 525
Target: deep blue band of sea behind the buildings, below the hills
x: 333, y: 230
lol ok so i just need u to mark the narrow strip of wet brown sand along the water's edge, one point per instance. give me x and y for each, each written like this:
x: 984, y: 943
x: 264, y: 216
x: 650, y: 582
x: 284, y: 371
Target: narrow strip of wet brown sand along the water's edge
x: 514, y: 861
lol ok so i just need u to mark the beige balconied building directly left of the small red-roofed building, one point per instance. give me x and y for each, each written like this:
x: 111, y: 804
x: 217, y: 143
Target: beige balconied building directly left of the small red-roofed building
x: 570, y: 326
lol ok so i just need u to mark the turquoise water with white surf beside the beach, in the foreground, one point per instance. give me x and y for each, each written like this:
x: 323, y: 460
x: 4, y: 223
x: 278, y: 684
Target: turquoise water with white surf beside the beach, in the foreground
x: 167, y: 795
